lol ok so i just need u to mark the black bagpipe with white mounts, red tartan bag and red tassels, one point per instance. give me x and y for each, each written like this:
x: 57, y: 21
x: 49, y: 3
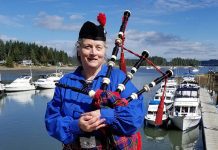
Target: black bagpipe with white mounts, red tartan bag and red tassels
x: 104, y: 98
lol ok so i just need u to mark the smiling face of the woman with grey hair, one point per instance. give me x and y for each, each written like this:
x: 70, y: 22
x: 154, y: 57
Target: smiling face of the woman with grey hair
x: 91, y: 53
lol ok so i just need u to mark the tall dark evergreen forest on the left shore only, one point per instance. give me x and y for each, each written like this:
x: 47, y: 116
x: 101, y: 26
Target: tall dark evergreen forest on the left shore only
x: 14, y: 52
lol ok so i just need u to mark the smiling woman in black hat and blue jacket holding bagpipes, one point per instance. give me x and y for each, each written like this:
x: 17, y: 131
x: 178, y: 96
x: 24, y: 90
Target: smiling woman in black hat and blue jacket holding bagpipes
x: 70, y: 116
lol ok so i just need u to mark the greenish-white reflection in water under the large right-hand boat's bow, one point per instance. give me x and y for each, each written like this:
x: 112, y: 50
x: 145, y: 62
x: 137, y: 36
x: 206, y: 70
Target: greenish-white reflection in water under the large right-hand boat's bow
x: 184, y: 139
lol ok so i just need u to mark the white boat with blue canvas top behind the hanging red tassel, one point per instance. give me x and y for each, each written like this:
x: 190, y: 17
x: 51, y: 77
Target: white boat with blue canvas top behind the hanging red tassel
x: 152, y: 111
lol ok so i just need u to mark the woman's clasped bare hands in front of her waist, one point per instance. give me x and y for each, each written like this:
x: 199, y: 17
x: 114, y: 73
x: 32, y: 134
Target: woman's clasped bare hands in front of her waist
x: 91, y: 121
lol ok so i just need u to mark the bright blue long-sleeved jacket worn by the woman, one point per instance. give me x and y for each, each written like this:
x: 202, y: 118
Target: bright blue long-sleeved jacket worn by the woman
x: 64, y: 110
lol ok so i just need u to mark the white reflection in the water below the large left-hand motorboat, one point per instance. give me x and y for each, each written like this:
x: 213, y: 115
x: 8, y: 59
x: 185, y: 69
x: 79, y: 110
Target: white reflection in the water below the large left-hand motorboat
x: 24, y: 98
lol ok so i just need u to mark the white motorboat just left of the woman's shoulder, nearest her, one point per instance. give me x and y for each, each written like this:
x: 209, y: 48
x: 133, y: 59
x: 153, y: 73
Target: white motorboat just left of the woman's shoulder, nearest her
x: 49, y: 81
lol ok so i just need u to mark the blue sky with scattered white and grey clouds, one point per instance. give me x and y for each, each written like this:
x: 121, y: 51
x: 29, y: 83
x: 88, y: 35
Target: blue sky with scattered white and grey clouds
x: 165, y: 28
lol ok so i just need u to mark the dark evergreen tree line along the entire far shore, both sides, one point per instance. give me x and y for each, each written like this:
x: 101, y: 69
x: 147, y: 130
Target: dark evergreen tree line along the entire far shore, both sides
x: 14, y: 52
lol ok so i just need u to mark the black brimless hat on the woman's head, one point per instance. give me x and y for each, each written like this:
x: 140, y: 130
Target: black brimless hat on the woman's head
x: 89, y: 30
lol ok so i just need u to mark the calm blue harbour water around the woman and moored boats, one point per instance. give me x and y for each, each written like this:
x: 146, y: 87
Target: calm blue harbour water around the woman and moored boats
x: 22, y: 119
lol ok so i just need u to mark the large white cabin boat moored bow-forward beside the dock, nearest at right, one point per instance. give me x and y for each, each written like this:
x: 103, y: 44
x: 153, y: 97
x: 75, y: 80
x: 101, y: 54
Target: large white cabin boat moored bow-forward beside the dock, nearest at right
x: 186, y: 108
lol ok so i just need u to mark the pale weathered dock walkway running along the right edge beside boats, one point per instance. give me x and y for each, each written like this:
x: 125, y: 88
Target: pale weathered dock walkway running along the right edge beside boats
x: 209, y: 120
